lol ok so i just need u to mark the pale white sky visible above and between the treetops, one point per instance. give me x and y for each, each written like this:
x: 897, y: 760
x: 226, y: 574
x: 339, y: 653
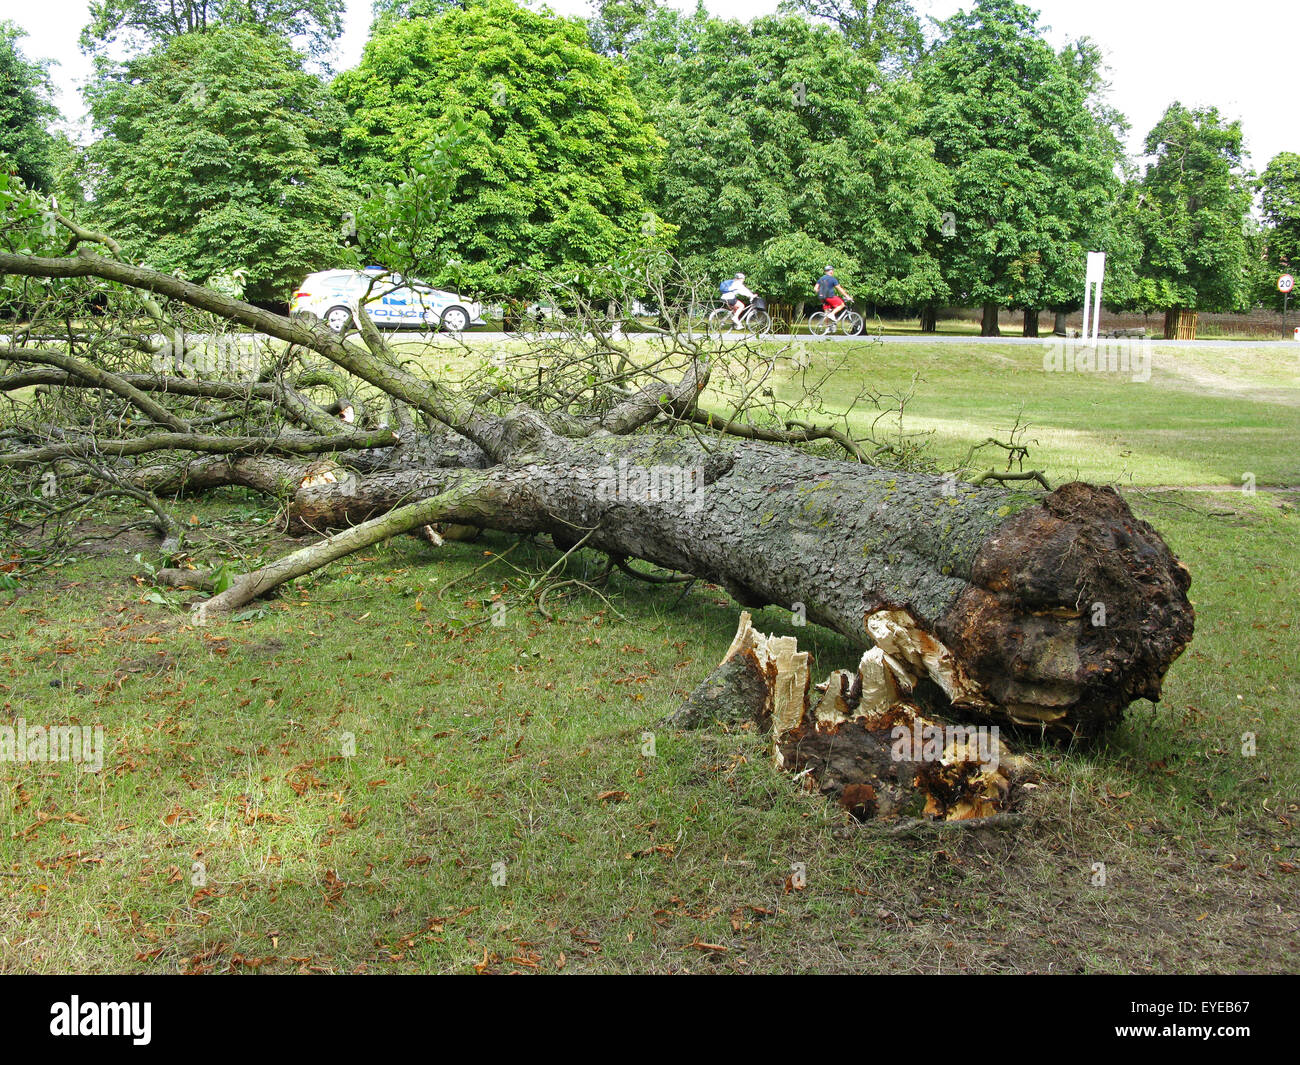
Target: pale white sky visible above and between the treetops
x: 1241, y: 58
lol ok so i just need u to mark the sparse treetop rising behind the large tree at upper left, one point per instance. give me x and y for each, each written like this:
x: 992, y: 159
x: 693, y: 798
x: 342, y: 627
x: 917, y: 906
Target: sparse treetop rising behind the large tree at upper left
x: 140, y: 25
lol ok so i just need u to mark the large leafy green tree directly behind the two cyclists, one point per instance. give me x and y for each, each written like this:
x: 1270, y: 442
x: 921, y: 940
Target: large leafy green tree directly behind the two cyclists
x: 783, y: 138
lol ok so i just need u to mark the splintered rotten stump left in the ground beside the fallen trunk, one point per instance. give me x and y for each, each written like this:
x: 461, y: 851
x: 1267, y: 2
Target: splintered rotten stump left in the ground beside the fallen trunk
x: 859, y: 738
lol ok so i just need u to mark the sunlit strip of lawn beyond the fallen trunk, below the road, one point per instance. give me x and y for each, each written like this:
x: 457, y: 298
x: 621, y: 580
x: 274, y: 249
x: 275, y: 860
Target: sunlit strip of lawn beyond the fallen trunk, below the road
x: 1208, y: 415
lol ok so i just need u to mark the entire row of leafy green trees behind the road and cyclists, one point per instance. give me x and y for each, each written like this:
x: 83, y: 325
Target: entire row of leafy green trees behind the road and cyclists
x: 969, y: 163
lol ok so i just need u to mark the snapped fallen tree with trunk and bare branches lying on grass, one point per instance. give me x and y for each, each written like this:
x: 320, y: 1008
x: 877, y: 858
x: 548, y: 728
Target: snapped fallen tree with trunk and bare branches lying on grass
x: 1015, y: 605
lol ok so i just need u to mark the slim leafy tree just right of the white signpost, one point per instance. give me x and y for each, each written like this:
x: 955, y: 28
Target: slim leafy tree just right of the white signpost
x: 1194, y: 201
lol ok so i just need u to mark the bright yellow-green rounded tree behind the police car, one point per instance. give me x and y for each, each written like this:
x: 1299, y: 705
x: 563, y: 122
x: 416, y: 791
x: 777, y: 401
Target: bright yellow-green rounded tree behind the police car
x: 557, y: 154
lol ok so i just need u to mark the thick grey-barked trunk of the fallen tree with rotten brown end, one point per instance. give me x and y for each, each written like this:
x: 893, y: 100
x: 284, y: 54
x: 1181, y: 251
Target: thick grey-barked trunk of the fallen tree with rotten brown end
x: 1054, y: 611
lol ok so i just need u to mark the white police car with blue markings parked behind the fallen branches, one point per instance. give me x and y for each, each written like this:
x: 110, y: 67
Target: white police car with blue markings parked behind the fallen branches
x: 391, y: 301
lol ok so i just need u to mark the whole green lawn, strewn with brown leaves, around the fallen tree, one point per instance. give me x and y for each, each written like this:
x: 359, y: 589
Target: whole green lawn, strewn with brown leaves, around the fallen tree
x: 358, y: 778
